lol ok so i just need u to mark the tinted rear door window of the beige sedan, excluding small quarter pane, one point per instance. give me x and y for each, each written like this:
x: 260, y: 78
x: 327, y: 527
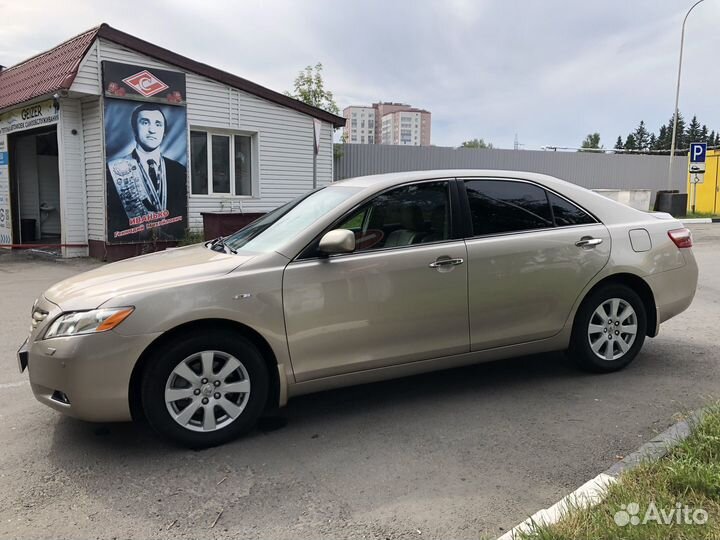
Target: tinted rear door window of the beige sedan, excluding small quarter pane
x: 498, y: 206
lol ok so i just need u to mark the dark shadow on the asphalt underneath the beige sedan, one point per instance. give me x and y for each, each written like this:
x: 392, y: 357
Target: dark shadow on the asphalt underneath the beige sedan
x: 345, y: 404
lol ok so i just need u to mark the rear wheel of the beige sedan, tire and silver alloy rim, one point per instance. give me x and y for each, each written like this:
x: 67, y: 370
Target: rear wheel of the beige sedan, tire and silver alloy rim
x: 602, y: 339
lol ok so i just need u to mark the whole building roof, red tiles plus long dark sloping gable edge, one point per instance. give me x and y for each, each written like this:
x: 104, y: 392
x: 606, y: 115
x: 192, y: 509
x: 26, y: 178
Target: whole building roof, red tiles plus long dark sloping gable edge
x: 56, y: 69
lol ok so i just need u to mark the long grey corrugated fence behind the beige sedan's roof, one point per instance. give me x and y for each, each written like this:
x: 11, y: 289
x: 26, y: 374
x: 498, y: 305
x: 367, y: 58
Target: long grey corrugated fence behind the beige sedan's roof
x: 590, y: 170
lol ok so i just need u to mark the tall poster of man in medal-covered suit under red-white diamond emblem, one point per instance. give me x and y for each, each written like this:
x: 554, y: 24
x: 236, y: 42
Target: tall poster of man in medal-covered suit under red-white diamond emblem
x: 146, y: 151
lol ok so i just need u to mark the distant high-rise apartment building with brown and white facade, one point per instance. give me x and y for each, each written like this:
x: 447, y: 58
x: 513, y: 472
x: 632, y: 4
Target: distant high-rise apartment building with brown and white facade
x: 387, y: 123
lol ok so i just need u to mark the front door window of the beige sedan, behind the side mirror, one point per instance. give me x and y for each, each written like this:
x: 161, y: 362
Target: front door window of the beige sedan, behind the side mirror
x: 415, y: 214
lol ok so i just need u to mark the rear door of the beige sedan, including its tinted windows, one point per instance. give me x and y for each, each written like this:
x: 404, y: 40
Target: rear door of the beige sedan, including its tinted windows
x: 530, y: 254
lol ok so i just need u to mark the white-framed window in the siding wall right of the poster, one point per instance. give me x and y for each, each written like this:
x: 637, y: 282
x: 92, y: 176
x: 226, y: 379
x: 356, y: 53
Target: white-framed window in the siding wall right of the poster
x: 221, y: 163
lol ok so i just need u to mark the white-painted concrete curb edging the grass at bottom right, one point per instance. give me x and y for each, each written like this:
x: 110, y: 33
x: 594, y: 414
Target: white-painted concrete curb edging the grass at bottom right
x: 593, y: 491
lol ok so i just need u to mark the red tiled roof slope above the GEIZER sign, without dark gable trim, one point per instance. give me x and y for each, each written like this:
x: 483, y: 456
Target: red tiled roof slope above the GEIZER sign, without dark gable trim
x: 45, y: 73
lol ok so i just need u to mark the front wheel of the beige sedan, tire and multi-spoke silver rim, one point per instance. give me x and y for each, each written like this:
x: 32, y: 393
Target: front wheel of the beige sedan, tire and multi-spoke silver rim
x: 206, y: 389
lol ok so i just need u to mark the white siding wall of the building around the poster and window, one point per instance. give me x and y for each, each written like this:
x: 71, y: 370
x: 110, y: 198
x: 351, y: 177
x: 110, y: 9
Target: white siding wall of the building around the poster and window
x: 283, y: 137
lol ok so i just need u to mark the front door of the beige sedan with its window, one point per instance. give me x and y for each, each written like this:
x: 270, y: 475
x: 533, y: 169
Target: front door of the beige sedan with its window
x: 400, y: 297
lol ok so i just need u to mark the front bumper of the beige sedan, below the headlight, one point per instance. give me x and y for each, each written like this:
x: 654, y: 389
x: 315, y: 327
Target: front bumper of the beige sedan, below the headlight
x: 86, y: 376
